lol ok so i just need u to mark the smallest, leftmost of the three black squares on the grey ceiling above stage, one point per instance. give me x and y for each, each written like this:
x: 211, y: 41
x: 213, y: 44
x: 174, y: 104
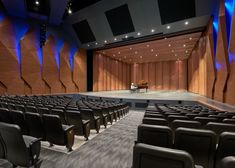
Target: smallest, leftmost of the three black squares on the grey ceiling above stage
x: 84, y: 32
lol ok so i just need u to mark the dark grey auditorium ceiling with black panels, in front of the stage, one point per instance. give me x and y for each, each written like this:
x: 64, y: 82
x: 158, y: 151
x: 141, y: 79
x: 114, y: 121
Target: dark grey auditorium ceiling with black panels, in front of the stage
x: 99, y: 23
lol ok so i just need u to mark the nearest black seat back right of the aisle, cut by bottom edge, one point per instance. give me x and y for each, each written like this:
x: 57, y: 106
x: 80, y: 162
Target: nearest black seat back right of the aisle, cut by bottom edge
x: 148, y: 156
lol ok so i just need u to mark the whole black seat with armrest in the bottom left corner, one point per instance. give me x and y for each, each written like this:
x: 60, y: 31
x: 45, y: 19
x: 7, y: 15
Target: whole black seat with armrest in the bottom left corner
x: 20, y: 150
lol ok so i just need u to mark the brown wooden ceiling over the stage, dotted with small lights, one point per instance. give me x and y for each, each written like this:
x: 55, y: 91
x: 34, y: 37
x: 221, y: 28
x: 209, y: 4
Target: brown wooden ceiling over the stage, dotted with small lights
x: 166, y: 49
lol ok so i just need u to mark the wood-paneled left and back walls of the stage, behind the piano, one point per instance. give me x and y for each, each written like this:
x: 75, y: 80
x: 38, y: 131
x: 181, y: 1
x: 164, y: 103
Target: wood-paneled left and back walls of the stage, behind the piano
x: 110, y: 74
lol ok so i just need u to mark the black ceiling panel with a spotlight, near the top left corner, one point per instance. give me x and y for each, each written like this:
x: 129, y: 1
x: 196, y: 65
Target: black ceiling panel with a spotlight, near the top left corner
x: 43, y: 8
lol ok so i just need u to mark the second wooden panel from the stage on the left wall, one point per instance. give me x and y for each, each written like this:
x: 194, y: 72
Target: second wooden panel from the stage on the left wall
x: 65, y: 70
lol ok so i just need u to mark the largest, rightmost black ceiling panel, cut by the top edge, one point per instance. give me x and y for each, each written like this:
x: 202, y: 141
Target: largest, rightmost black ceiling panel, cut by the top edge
x: 175, y: 10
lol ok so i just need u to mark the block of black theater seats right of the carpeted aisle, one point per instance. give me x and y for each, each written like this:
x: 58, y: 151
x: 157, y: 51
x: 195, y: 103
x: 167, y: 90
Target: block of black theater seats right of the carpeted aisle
x: 197, y: 141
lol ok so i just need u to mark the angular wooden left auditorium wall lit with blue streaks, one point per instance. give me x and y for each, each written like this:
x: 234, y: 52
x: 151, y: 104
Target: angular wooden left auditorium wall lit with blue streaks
x: 25, y: 69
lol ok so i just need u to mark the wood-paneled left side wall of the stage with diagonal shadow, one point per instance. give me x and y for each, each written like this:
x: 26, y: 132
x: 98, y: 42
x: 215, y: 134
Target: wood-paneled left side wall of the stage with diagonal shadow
x: 110, y: 74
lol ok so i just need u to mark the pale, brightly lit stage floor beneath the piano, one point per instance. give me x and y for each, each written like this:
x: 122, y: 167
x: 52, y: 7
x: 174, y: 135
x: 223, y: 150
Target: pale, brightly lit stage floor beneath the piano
x: 161, y: 95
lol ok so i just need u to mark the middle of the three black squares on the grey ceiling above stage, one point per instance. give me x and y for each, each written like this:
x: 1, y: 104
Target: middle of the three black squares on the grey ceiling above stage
x: 120, y: 20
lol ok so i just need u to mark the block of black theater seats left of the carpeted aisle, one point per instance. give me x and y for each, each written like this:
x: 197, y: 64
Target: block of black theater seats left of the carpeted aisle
x: 54, y: 119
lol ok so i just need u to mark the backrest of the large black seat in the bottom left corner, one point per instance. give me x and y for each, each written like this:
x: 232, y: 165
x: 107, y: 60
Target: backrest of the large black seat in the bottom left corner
x: 13, y: 139
